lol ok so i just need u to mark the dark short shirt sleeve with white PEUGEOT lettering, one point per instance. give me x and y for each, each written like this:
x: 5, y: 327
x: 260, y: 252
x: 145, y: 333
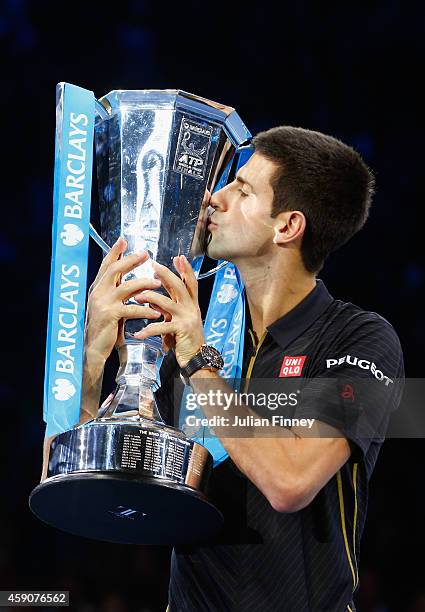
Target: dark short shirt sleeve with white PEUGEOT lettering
x: 358, y: 384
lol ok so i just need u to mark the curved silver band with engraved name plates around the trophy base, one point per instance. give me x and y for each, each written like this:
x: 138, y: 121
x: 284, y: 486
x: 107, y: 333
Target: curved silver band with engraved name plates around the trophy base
x: 143, y: 449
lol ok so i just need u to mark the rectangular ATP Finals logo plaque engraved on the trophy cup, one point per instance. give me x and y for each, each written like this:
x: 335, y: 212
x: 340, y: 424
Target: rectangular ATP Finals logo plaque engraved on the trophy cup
x: 192, y: 148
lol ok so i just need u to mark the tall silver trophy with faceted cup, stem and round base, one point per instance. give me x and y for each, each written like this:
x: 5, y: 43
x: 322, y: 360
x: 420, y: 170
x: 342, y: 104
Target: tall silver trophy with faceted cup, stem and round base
x: 127, y: 476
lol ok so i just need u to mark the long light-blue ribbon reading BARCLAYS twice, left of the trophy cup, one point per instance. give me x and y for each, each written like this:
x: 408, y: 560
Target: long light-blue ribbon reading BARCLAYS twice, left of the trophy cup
x: 75, y: 114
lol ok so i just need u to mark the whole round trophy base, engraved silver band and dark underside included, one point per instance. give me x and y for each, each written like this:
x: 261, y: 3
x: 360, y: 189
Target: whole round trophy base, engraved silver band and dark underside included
x: 130, y: 481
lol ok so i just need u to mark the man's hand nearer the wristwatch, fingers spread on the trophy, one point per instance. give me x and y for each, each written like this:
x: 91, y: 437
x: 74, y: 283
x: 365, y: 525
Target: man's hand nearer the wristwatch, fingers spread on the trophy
x: 183, y: 321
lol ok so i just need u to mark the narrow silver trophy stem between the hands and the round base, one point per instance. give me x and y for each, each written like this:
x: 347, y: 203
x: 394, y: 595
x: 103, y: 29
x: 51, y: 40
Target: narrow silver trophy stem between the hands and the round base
x: 137, y: 382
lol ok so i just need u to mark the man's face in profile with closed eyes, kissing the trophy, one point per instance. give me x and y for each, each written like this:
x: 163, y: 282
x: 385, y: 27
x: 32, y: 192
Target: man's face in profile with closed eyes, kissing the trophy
x: 241, y: 226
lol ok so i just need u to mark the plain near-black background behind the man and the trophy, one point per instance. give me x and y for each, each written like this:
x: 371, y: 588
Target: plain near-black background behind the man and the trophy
x: 354, y: 73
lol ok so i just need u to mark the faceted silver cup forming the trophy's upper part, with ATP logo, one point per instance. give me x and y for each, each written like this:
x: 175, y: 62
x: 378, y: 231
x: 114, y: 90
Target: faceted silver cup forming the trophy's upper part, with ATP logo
x: 158, y: 154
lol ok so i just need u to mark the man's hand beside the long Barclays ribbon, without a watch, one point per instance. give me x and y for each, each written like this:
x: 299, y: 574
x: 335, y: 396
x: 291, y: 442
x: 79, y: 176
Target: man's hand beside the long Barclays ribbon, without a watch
x: 106, y: 309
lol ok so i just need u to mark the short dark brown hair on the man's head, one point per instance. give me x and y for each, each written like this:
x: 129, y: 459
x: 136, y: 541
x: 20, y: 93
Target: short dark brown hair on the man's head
x: 323, y: 178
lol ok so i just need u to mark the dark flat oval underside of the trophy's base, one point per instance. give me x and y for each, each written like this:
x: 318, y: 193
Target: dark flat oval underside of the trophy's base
x: 150, y: 511
